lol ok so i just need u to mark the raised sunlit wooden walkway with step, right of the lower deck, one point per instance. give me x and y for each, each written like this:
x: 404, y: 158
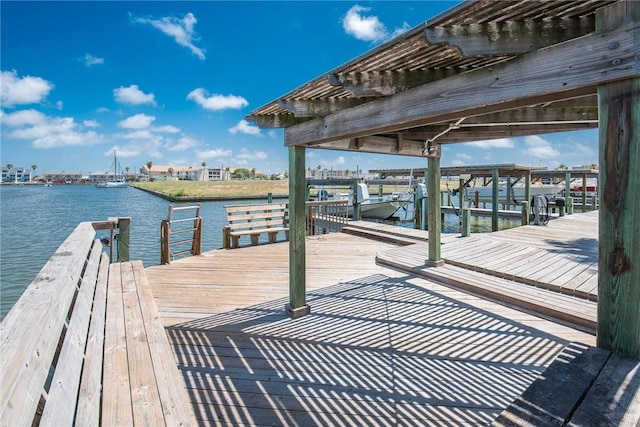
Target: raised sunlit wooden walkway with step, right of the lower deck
x: 550, y: 270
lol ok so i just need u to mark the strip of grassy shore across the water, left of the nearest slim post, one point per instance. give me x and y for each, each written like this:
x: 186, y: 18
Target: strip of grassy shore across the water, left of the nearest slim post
x: 216, y: 189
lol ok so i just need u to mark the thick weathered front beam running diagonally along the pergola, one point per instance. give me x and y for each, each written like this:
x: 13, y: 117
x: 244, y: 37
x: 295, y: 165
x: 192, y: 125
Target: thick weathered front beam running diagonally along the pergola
x: 568, y: 70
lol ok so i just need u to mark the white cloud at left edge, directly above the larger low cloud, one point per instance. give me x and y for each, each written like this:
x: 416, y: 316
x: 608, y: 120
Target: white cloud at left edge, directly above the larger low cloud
x: 23, y: 90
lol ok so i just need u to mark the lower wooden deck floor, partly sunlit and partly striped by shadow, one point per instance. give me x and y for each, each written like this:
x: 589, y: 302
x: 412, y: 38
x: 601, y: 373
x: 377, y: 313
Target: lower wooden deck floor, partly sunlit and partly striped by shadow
x: 381, y: 346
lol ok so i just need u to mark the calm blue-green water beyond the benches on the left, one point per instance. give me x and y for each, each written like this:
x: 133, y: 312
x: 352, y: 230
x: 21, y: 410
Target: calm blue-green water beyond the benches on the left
x: 35, y: 220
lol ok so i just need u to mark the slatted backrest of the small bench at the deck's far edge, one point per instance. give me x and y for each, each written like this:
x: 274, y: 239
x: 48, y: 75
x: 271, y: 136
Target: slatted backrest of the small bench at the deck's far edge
x: 255, y: 217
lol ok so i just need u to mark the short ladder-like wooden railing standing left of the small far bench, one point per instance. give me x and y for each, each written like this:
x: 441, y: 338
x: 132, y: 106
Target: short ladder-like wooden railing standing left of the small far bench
x: 188, y: 228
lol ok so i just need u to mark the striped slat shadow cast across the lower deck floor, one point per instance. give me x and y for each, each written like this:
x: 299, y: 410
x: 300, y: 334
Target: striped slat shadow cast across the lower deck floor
x: 375, y: 351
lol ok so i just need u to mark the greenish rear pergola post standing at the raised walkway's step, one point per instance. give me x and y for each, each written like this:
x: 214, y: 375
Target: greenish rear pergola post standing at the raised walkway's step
x: 433, y: 208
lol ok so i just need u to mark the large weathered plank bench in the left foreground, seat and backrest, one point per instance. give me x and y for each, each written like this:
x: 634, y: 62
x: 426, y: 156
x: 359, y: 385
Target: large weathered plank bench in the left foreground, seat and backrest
x: 84, y: 346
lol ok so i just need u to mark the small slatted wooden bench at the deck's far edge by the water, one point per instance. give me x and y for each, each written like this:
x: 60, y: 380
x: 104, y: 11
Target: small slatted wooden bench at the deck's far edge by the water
x: 254, y: 220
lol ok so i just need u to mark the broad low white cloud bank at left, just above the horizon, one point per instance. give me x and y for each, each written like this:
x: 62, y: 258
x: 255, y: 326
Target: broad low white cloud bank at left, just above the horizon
x: 48, y: 132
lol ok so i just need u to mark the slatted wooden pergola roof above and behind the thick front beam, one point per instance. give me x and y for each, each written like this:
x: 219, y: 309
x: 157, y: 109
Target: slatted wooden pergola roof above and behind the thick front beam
x: 472, y: 36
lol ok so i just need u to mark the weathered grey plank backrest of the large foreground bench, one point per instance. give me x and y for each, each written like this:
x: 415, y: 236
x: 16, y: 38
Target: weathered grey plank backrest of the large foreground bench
x: 51, y: 340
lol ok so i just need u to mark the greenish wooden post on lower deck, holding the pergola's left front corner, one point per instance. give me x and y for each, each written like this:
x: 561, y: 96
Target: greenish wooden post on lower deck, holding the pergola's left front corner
x: 297, y: 305
